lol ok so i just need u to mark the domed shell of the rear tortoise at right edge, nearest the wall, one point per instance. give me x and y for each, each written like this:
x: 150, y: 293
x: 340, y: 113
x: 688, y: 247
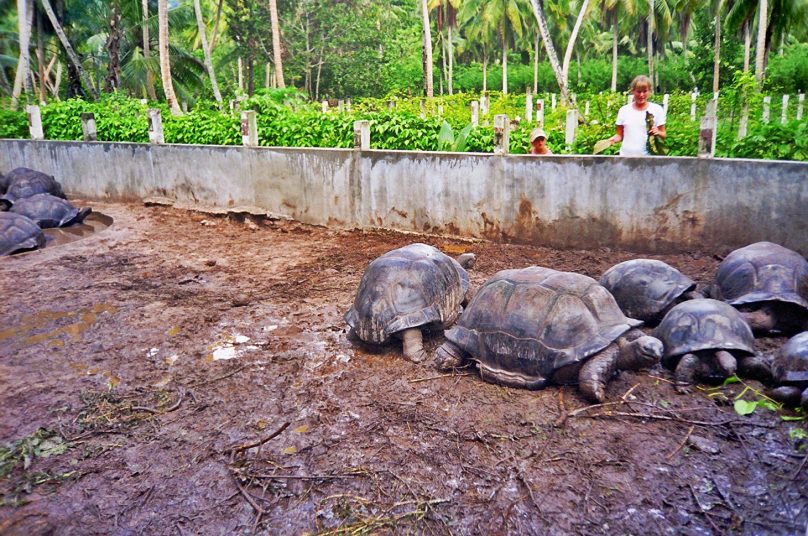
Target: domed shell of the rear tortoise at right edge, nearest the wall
x: 763, y: 272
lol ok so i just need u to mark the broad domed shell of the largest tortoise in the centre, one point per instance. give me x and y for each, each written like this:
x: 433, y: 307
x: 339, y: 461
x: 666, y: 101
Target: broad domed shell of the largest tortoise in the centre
x: 537, y: 320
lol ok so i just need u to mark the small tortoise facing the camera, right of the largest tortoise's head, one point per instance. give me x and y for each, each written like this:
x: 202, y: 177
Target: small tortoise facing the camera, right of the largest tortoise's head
x: 708, y: 339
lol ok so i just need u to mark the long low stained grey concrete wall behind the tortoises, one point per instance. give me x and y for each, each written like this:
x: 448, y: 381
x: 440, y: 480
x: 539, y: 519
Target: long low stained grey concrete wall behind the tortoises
x: 645, y: 204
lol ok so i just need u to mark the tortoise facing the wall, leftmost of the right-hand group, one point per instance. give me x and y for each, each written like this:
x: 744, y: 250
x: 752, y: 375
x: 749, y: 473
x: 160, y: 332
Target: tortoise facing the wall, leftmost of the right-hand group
x: 405, y: 290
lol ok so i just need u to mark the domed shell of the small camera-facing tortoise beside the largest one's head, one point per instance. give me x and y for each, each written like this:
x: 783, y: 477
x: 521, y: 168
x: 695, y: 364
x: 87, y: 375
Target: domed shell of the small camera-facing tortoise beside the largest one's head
x: 704, y: 324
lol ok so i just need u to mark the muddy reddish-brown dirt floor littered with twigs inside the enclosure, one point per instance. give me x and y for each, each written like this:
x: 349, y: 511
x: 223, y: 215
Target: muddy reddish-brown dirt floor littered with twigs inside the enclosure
x: 187, y: 373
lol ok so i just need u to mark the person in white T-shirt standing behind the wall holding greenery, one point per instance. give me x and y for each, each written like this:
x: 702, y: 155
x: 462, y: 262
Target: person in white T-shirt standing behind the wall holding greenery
x: 632, y: 128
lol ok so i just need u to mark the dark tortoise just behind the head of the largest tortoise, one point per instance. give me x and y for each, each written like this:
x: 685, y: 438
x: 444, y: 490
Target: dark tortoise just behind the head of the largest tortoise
x: 646, y: 289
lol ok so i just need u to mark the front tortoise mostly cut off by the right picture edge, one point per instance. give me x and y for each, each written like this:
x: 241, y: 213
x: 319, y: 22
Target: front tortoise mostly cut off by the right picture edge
x: 790, y: 371
